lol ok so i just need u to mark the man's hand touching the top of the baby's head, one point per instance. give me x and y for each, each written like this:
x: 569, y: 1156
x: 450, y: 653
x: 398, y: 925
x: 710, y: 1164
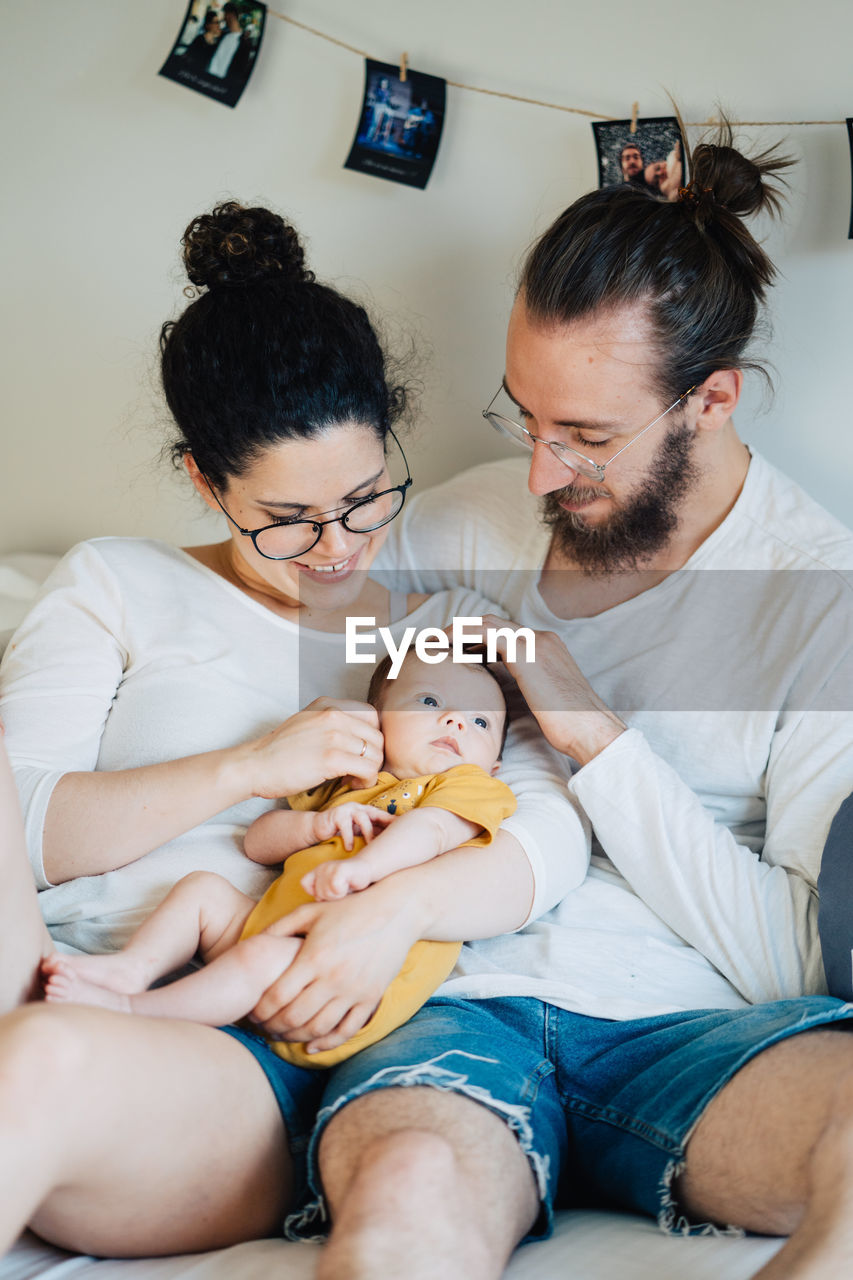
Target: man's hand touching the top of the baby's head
x: 569, y: 711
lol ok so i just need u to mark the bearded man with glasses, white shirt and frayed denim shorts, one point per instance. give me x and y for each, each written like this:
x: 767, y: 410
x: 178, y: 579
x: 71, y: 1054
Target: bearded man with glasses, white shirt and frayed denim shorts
x: 658, y: 1041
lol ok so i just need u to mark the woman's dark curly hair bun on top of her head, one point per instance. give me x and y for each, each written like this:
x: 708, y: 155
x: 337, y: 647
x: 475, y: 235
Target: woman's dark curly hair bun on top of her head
x: 239, y: 246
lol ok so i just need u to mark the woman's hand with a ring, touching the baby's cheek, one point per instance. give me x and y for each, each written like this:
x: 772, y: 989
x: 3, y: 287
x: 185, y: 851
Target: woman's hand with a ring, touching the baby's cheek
x: 330, y: 739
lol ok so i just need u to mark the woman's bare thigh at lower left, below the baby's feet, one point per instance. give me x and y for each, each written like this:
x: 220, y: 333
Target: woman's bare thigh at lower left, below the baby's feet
x: 135, y: 1137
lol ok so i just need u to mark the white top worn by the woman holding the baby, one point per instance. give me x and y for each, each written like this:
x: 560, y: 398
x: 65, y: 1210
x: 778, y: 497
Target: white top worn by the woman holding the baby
x: 135, y: 653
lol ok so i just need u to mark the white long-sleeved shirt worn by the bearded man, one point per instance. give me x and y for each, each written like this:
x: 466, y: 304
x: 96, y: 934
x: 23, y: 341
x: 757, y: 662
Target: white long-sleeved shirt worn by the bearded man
x: 711, y: 812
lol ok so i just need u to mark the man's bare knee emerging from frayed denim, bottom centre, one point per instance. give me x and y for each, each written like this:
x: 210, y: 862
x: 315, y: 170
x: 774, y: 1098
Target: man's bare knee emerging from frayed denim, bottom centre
x: 423, y: 1183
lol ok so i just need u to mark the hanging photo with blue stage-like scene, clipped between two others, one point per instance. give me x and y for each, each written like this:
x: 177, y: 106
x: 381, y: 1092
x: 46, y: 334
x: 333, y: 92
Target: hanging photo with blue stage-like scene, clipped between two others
x: 400, y: 126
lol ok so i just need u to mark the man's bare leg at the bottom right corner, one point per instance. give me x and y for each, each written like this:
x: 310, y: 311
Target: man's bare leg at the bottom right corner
x: 774, y: 1154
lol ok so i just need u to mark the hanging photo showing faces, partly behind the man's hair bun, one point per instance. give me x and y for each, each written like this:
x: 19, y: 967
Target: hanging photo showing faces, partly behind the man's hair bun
x: 653, y: 158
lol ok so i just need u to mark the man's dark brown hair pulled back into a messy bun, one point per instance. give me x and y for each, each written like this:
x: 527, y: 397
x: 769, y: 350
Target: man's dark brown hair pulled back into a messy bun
x: 692, y: 263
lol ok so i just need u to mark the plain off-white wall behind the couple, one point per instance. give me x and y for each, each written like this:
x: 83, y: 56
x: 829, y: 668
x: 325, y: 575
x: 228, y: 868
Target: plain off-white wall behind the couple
x: 107, y: 162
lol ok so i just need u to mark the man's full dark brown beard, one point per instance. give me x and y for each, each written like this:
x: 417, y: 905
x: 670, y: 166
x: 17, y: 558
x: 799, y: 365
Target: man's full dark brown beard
x: 641, y: 528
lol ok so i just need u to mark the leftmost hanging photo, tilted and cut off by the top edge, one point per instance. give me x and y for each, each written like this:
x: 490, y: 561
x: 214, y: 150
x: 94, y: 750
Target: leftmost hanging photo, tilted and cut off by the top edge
x: 217, y: 48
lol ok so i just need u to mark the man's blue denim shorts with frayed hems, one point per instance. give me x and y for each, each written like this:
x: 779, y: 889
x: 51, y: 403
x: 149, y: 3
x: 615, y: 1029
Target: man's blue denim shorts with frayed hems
x: 601, y: 1109
